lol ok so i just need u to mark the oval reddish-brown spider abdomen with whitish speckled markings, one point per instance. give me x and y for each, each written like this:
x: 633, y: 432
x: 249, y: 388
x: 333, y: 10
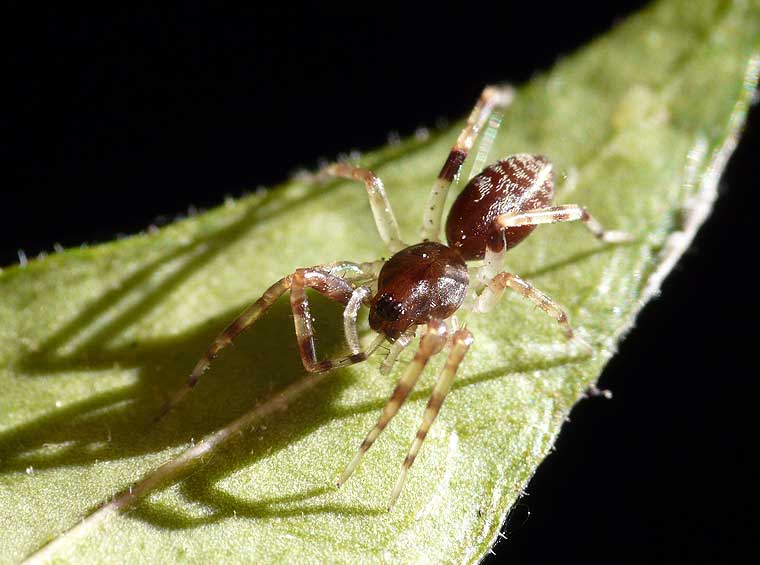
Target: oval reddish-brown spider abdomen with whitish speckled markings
x: 515, y: 184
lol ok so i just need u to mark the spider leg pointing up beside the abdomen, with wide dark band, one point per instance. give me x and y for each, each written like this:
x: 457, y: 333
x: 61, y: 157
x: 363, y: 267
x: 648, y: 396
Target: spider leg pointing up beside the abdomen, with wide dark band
x: 491, y: 97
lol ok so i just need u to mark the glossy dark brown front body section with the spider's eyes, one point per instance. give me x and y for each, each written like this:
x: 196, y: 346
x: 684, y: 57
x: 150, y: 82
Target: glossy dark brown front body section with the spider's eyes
x: 419, y: 283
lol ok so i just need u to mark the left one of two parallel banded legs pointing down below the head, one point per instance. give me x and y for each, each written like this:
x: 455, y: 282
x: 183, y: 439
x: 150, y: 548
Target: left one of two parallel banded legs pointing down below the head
x: 430, y: 344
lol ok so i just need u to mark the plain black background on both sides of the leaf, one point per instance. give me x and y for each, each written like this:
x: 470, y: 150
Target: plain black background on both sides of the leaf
x: 118, y: 119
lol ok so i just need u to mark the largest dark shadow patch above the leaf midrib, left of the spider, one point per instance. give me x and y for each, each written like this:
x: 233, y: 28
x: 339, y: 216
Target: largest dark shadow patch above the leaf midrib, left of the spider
x: 119, y: 424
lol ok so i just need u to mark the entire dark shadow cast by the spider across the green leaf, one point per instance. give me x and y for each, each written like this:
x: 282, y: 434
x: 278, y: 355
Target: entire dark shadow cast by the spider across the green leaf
x: 118, y: 424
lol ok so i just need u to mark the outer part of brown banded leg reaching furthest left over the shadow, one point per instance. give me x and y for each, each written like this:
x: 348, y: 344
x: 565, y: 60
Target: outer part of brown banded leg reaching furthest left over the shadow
x: 235, y: 328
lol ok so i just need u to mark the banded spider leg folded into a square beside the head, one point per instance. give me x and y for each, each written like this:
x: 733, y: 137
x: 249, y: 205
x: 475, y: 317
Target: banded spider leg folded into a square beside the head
x: 337, y: 289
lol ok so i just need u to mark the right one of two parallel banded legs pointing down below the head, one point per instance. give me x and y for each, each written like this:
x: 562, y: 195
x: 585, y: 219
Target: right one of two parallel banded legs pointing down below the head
x: 462, y: 340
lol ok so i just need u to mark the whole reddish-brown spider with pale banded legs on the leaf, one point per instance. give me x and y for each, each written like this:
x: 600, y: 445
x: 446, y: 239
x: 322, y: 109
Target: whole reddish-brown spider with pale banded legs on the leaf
x: 429, y: 283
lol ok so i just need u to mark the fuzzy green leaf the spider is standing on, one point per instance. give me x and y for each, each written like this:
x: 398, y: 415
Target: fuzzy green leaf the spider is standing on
x: 94, y: 340
